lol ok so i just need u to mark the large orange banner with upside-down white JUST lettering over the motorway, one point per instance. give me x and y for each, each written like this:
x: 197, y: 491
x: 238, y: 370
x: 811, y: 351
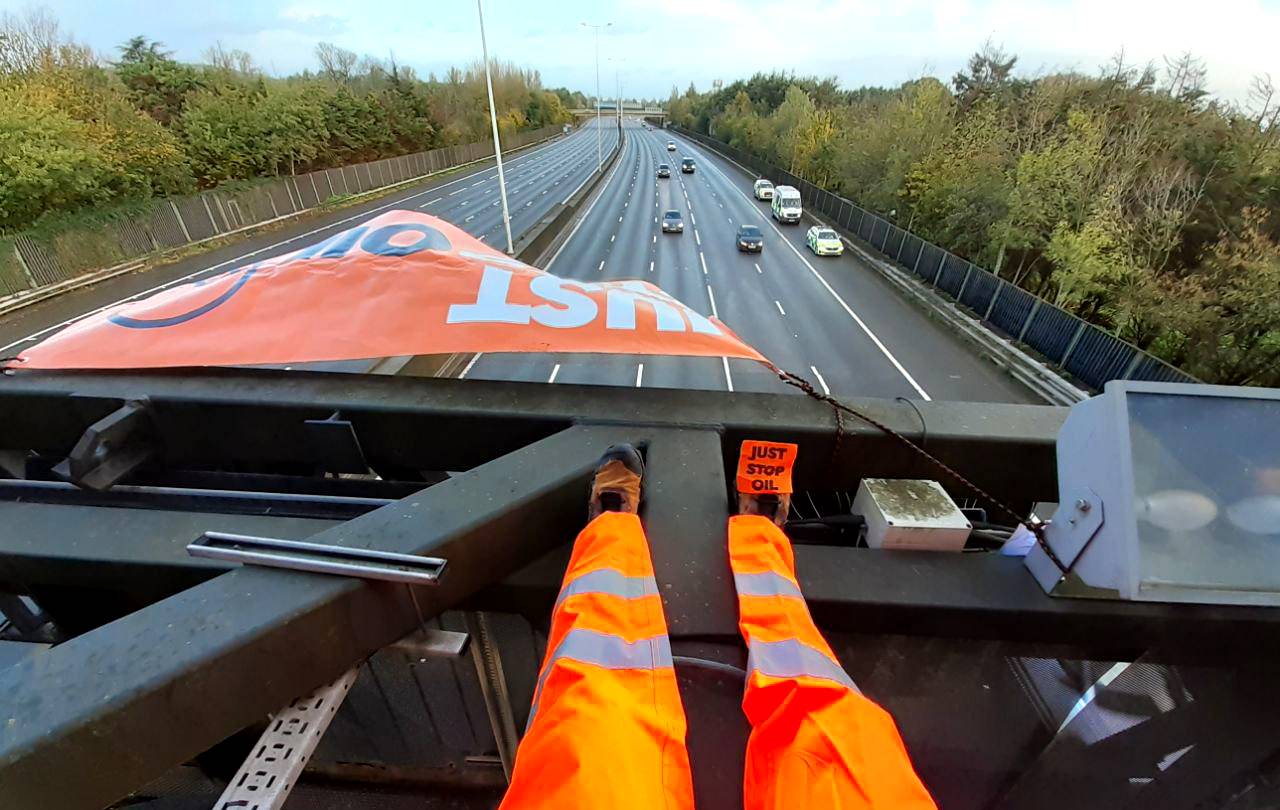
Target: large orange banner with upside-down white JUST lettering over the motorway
x: 403, y: 283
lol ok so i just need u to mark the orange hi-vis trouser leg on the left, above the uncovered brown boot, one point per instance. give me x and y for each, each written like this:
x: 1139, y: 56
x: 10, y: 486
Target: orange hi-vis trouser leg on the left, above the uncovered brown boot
x: 607, y: 729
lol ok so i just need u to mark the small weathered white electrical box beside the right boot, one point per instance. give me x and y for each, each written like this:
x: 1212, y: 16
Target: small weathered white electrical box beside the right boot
x: 911, y: 515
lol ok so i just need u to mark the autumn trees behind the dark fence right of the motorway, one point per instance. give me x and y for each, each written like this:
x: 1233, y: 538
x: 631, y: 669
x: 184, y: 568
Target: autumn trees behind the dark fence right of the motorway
x: 1130, y: 198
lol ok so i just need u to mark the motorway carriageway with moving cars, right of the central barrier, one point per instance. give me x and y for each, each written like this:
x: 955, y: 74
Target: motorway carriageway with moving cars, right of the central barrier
x: 831, y: 321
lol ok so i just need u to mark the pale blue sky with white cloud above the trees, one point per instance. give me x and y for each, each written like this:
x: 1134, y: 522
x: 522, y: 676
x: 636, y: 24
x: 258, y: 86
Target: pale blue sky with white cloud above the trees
x: 664, y: 43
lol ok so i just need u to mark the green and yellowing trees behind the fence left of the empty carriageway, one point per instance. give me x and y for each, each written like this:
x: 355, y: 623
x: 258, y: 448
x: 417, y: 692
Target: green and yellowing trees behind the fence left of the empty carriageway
x: 80, y: 131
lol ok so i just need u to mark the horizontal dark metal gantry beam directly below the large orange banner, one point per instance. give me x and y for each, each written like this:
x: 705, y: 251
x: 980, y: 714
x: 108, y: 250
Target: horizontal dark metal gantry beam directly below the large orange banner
x: 249, y: 415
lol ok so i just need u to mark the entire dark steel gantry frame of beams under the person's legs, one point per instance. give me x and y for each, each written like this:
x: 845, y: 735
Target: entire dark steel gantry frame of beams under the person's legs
x: 111, y: 475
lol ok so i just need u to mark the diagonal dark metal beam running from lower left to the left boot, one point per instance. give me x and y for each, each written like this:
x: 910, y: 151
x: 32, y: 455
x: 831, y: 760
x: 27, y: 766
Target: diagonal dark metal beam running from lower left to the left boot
x: 152, y: 690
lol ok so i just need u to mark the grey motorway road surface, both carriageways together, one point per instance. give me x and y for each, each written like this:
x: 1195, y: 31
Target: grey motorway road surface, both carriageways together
x: 831, y: 321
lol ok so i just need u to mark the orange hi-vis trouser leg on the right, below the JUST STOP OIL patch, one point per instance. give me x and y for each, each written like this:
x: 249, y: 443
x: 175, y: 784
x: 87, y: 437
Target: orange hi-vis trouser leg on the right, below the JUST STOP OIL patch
x: 816, y: 740
